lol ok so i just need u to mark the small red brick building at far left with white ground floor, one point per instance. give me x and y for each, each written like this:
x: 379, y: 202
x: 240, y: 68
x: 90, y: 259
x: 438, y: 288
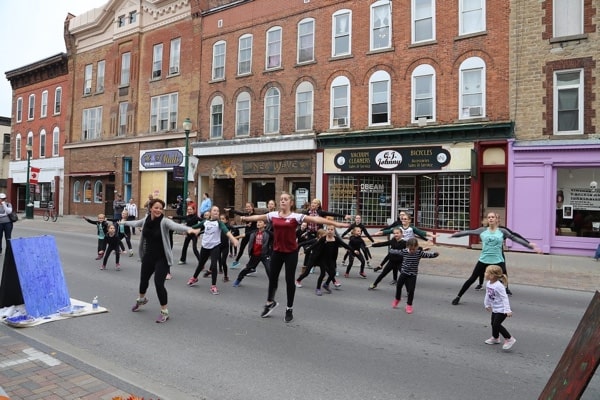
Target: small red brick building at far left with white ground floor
x: 39, y: 121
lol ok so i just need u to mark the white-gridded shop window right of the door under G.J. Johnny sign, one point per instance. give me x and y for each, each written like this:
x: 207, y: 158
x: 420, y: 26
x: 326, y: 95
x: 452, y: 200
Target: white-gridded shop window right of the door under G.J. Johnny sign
x: 444, y: 202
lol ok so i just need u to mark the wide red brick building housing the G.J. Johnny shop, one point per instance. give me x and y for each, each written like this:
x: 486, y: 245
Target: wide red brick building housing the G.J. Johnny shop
x: 373, y: 106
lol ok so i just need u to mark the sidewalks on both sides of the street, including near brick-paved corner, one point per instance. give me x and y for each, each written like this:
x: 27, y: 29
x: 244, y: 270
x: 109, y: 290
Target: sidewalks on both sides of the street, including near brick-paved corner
x: 30, y: 370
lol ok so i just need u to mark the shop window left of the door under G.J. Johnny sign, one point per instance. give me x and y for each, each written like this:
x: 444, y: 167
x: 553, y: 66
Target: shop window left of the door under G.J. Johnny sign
x: 369, y: 196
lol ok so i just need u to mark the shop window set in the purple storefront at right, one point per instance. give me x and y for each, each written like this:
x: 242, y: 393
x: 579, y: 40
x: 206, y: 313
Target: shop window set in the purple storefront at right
x: 577, y: 202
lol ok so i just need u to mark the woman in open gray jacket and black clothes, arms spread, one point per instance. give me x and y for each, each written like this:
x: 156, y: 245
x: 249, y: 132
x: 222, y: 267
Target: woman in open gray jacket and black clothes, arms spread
x: 156, y: 254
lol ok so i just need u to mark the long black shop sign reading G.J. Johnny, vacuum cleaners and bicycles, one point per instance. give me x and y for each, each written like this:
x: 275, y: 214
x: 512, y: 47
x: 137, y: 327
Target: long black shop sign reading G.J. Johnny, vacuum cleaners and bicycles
x: 398, y: 159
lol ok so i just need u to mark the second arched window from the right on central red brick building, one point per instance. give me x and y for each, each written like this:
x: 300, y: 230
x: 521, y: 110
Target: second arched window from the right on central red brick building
x: 423, y: 93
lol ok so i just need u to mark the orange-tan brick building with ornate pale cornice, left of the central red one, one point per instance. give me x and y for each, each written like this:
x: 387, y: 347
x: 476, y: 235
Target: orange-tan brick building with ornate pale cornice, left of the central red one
x: 134, y: 83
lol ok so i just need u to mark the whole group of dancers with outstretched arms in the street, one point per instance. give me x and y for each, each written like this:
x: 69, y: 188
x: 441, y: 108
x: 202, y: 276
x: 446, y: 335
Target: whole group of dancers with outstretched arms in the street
x: 275, y: 237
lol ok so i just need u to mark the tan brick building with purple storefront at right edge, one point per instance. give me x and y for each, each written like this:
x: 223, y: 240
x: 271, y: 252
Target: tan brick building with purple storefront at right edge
x: 554, y: 94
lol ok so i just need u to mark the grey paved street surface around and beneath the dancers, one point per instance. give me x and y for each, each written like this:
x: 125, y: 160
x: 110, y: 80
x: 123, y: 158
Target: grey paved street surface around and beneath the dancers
x: 354, y: 338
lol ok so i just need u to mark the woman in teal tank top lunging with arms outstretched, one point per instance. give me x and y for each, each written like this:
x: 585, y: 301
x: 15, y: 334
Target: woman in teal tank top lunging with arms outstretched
x: 492, y: 240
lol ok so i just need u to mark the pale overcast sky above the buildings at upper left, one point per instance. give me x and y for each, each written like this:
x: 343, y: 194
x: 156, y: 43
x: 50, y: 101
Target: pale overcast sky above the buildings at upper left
x: 32, y: 30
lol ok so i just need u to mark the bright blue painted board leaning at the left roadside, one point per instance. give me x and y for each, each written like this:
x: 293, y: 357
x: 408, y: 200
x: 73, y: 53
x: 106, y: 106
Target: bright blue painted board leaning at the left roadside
x: 41, y: 275
